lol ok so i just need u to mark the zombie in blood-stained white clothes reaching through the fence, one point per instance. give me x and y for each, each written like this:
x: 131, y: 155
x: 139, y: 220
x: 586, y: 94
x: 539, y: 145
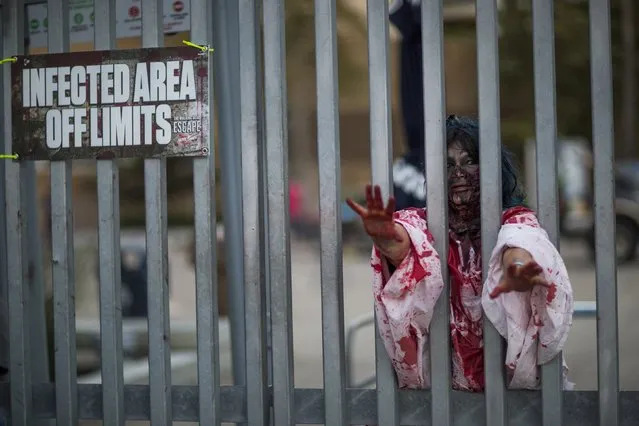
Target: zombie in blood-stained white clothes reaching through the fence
x: 526, y: 295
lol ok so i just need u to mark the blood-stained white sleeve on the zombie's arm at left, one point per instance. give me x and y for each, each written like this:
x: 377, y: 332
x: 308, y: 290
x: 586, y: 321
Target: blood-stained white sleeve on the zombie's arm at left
x: 405, y: 299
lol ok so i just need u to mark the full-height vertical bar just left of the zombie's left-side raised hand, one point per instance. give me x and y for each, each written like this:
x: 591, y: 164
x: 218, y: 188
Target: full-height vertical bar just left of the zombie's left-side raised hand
x: 328, y: 148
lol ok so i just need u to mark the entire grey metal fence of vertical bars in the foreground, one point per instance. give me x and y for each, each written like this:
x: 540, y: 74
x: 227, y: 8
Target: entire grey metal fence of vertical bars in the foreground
x: 265, y: 243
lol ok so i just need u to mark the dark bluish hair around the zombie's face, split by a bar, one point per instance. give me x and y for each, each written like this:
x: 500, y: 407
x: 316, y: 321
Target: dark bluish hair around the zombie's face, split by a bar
x: 465, y: 132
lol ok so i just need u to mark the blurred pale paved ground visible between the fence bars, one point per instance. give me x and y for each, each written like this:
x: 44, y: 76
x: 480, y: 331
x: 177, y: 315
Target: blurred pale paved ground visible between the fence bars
x: 580, y: 349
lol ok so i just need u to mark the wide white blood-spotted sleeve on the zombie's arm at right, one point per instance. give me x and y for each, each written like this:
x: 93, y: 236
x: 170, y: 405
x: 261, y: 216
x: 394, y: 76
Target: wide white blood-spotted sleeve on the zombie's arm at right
x: 535, y: 324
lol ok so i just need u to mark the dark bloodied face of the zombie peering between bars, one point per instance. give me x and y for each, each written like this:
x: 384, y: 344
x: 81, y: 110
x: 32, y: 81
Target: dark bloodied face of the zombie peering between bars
x: 463, y: 177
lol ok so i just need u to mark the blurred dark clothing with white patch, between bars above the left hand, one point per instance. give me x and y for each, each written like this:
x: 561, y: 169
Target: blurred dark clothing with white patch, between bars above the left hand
x: 408, y: 172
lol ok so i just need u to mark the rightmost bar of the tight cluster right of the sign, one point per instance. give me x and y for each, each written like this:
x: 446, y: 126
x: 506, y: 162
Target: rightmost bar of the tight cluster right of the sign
x: 278, y: 212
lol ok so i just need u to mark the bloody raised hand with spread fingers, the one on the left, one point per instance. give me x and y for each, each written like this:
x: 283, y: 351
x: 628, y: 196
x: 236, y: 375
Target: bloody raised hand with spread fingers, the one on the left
x: 377, y: 219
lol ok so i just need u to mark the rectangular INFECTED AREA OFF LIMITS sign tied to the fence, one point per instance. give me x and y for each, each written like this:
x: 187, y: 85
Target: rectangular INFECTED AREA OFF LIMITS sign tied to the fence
x: 147, y: 103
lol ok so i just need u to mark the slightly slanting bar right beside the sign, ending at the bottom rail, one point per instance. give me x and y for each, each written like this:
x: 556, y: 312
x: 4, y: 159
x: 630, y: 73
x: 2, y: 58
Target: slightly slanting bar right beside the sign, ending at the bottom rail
x: 227, y: 68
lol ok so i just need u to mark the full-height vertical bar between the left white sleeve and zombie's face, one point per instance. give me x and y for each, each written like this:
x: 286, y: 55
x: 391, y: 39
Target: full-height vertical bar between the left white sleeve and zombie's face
x: 437, y: 201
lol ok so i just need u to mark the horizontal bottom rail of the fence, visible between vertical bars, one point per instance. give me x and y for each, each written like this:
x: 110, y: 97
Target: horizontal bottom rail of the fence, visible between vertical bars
x: 581, y: 407
